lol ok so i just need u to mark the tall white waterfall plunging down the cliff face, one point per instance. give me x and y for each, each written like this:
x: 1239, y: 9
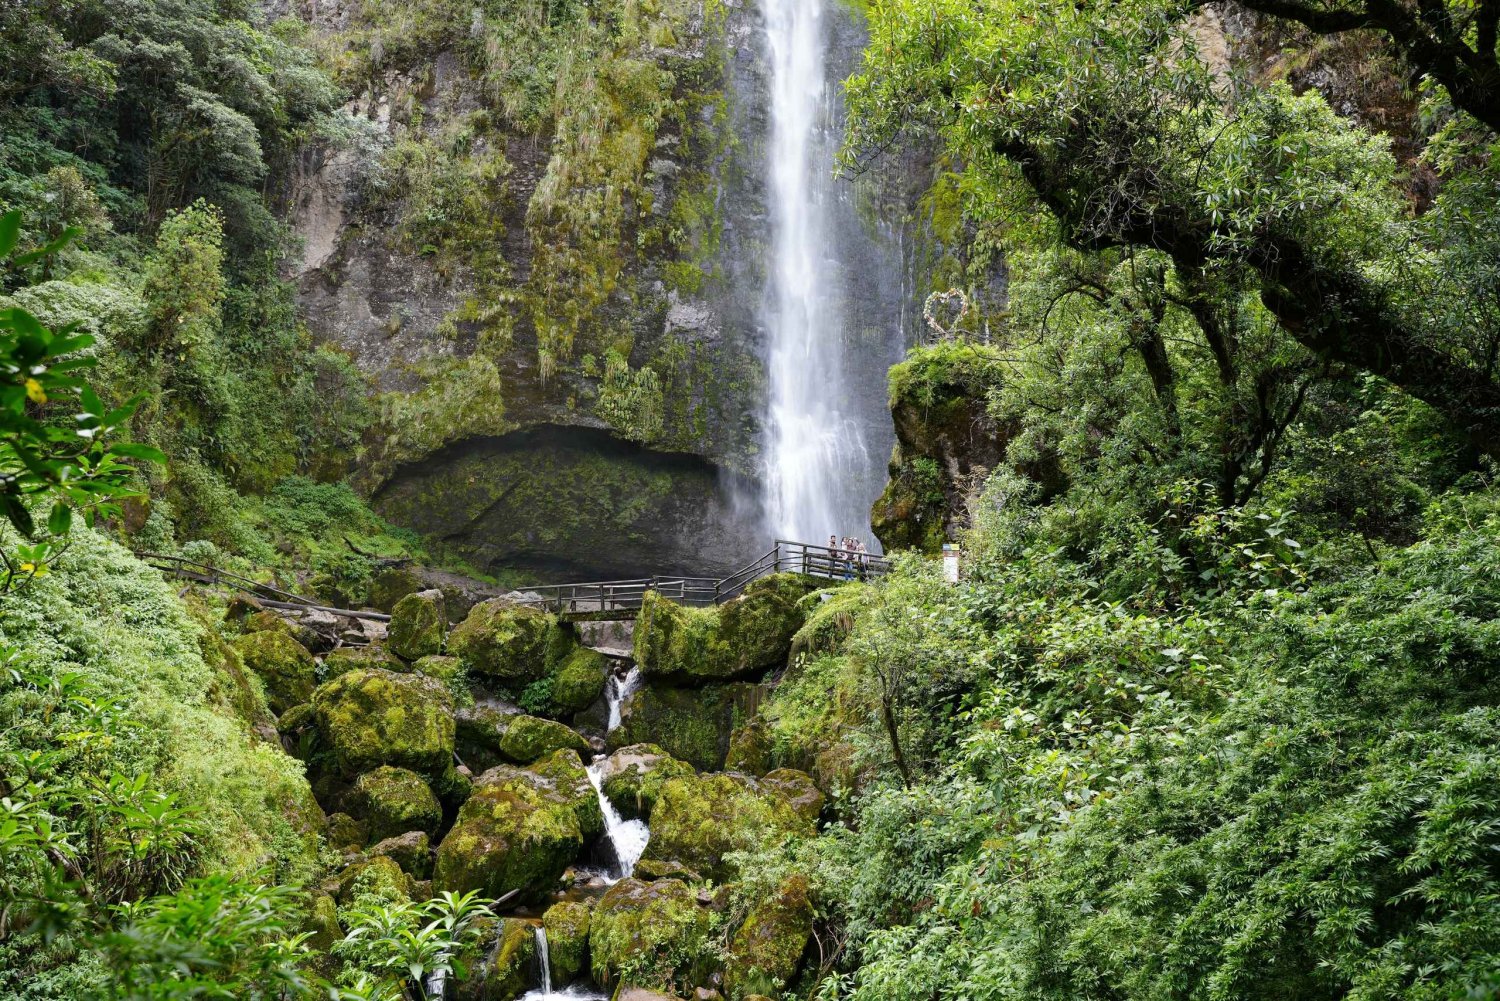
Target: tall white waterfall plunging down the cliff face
x: 818, y: 458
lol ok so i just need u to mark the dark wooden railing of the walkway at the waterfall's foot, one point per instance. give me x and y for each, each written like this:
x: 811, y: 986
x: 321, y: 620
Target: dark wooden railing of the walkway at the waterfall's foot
x: 605, y: 600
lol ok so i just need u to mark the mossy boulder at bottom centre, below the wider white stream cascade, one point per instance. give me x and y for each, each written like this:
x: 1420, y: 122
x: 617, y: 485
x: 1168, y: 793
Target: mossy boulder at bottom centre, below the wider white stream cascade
x: 658, y: 930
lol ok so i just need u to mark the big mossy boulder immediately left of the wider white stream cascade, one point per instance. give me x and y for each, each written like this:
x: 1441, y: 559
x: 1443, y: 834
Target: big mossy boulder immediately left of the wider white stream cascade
x: 520, y: 829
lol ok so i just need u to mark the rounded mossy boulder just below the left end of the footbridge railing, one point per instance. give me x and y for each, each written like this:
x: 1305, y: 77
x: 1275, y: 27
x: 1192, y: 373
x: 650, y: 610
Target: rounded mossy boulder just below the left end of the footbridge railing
x: 511, y: 643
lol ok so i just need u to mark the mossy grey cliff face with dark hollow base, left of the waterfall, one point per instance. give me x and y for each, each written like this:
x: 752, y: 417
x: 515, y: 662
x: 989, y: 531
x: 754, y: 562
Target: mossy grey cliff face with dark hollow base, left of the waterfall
x: 542, y: 224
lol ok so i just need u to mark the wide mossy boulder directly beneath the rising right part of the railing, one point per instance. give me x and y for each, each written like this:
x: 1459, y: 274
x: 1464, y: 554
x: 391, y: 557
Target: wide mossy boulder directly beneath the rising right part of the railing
x: 746, y: 636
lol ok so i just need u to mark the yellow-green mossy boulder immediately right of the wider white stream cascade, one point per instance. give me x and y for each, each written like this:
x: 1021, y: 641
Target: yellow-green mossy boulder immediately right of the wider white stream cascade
x: 697, y: 822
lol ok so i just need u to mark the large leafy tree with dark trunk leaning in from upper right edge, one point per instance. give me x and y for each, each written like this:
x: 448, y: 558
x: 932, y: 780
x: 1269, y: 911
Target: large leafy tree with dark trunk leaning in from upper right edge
x: 1106, y: 121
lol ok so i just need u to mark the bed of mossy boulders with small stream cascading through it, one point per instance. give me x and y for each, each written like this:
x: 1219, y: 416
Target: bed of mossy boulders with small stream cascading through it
x: 604, y: 799
